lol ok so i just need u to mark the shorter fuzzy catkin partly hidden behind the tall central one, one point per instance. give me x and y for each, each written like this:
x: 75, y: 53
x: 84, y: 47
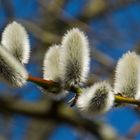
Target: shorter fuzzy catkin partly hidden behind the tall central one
x: 51, y: 64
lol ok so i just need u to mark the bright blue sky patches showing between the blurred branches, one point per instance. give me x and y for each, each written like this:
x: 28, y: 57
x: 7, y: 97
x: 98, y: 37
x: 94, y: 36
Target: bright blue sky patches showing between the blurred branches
x: 122, y: 119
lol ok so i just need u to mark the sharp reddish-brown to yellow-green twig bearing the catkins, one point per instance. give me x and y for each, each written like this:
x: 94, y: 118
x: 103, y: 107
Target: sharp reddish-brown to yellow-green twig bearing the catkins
x: 56, y: 87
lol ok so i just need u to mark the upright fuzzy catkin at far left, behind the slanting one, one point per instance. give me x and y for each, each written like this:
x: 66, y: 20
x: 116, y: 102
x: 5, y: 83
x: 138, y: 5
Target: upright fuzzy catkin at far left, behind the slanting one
x: 15, y: 39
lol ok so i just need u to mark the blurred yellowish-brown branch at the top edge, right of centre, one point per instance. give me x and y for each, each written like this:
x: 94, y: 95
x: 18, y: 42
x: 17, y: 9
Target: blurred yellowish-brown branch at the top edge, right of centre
x: 97, y: 8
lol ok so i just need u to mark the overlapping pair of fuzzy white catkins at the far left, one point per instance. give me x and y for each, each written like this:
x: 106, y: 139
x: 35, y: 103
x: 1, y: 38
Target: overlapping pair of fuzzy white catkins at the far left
x: 14, y: 53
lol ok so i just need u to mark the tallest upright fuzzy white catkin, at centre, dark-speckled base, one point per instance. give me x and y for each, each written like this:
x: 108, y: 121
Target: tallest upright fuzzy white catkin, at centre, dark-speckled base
x: 74, y: 57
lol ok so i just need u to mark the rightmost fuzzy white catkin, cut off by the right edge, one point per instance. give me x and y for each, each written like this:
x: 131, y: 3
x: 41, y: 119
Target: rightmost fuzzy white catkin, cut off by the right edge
x: 126, y: 76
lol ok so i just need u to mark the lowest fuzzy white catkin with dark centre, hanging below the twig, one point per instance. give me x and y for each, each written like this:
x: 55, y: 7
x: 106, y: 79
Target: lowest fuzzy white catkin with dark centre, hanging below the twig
x: 96, y: 99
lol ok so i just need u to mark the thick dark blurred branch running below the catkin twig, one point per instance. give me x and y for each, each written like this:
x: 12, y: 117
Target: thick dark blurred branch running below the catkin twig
x: 54, y: 110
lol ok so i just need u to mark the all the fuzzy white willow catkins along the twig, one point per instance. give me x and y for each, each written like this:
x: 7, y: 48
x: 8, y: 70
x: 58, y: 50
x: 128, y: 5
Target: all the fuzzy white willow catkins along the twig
x: 68, y: 64
